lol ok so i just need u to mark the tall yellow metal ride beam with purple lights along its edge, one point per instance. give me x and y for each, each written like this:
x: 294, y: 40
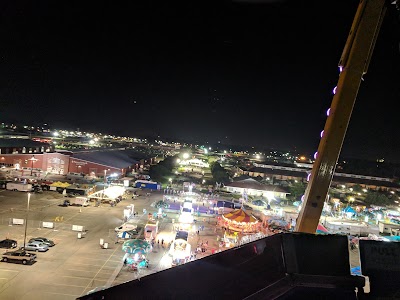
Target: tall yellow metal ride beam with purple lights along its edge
x: 354, y: 63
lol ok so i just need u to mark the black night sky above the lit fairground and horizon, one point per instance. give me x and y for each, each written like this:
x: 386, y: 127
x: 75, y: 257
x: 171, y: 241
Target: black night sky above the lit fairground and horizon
x: 257, y: 73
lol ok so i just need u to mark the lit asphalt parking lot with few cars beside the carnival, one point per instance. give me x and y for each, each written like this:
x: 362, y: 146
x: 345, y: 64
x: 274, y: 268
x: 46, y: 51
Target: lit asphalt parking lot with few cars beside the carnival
x: 74, y: 265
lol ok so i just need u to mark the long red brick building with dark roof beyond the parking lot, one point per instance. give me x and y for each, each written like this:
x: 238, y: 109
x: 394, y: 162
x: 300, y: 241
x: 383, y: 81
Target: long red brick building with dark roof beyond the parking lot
x: 28, y: 155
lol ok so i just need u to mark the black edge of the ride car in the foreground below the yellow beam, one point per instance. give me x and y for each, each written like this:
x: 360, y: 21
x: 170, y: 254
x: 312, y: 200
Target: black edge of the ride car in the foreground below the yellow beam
x: 283, y: 266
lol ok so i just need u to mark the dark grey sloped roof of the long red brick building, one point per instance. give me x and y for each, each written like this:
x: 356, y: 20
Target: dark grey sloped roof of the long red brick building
x: 116, y: 158
